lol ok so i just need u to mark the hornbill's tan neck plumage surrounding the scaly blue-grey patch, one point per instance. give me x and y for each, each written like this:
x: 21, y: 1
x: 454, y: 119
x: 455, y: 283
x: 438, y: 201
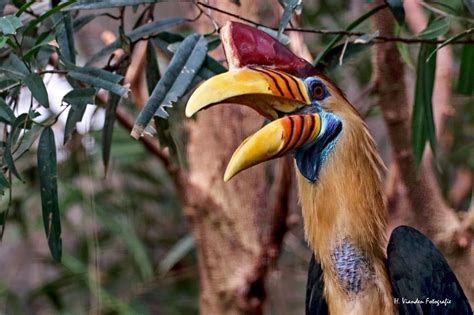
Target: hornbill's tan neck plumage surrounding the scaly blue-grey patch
x: 346, y: 205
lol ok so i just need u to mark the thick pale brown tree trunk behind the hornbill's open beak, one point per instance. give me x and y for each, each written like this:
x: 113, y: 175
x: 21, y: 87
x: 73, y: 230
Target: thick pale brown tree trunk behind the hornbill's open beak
x: 230, y: 221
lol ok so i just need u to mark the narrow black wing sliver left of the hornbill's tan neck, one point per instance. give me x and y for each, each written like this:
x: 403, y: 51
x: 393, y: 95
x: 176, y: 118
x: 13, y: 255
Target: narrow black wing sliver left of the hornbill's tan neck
x: 315, y: 302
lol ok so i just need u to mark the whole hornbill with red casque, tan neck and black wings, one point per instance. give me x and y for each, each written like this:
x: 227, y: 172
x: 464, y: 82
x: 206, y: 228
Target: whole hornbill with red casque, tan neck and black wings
x: 339, y: 183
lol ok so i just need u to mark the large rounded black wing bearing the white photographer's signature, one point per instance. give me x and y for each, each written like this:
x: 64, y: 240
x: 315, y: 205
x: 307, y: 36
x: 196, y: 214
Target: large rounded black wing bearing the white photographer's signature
x: 421, y: 278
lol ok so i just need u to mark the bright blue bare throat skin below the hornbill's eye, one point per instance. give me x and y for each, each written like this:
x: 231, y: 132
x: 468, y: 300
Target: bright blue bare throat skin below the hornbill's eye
x: 311, y: 157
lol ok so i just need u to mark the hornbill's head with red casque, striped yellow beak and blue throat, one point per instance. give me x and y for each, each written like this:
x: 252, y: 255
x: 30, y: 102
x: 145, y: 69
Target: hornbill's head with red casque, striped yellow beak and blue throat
x: 306, y: 110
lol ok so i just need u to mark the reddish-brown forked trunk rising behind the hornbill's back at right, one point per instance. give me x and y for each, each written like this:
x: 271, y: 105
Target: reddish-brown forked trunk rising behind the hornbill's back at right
x: 427, y: 209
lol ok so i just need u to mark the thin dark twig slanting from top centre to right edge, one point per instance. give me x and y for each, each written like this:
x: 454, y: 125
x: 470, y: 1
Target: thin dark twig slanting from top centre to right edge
x: 376, y: 39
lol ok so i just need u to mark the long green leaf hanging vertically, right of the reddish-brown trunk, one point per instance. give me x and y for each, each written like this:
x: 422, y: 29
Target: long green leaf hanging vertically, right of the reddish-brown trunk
x: 423, y: 128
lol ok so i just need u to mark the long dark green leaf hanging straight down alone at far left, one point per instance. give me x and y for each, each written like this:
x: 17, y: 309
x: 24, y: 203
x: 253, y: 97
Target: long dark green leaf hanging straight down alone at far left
x: 49, y: 191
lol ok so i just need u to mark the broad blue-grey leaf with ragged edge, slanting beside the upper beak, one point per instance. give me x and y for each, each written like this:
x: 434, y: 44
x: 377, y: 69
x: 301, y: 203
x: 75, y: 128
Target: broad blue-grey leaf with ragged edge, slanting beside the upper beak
x: 181, y: 71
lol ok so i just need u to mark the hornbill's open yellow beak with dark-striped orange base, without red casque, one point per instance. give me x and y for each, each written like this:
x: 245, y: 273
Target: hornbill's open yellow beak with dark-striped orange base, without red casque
x: 273, y: 94
